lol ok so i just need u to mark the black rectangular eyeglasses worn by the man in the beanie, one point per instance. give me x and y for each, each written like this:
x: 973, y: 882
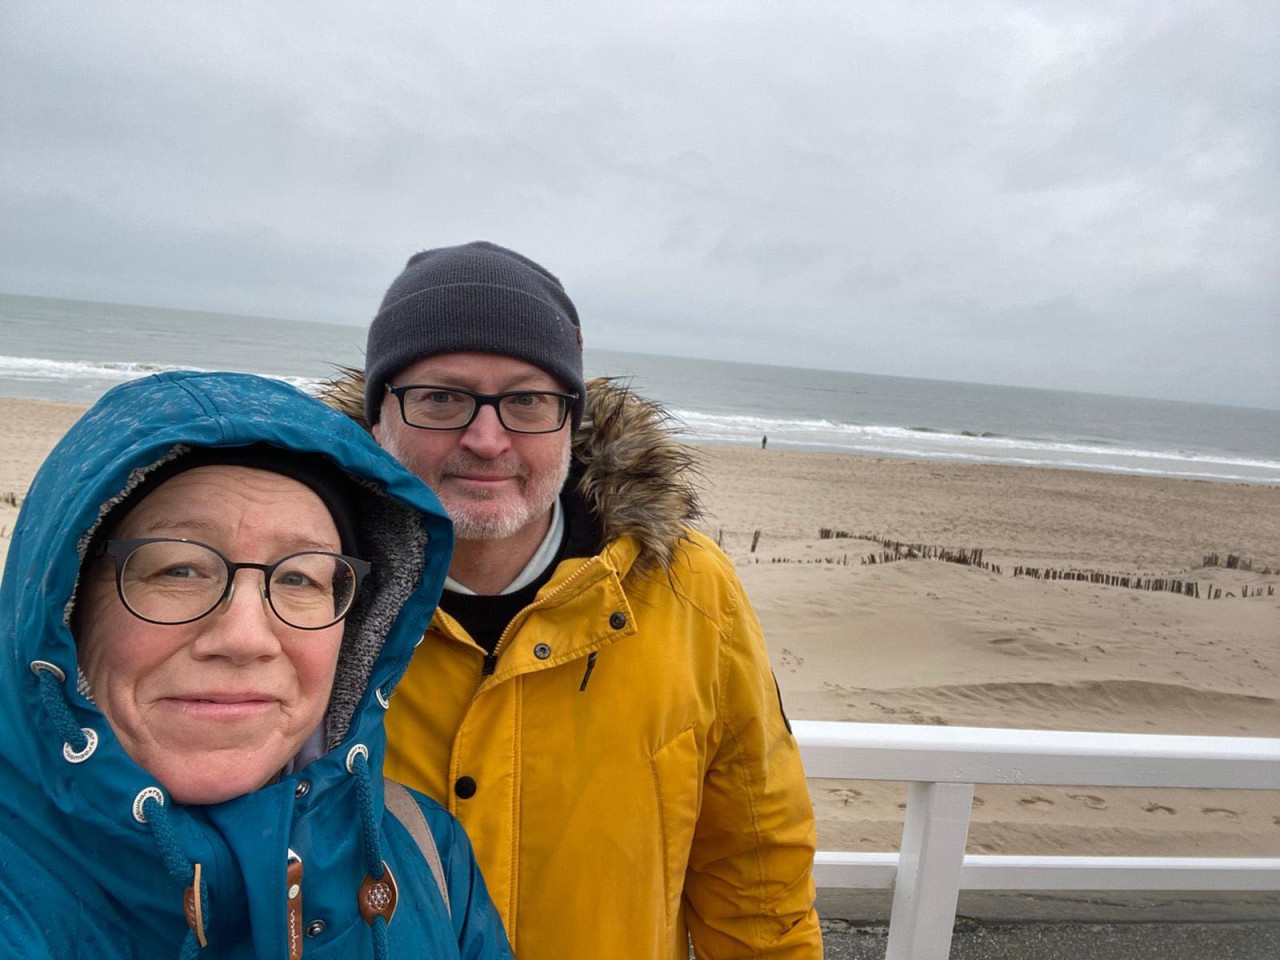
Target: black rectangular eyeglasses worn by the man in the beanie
x: 432, y: 408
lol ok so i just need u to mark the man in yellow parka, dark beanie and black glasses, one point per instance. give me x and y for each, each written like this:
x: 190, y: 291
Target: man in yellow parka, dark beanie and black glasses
x: 593, y: 701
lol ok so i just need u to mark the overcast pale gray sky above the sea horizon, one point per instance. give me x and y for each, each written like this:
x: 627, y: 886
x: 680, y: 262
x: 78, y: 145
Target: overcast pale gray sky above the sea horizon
x: 1077, y: 195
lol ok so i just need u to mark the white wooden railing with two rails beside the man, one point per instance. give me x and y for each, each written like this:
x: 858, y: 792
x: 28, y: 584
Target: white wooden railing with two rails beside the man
x: 943, y: 765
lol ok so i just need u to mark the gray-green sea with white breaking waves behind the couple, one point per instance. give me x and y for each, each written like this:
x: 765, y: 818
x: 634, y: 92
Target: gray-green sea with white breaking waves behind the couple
x: 75, y: 351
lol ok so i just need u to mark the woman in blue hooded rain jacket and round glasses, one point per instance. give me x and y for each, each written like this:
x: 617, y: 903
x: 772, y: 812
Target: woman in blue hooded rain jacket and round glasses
x: 213, y: 588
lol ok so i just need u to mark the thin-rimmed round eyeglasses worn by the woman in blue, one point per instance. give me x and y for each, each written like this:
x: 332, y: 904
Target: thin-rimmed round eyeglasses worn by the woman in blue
x: 176, y: 582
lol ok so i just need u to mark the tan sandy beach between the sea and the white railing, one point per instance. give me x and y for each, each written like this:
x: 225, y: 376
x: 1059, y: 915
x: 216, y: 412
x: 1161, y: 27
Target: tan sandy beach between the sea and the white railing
x: 931, y: 642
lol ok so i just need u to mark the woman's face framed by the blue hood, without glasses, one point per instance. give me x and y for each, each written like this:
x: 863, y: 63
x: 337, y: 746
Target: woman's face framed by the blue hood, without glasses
x: 214, y: 708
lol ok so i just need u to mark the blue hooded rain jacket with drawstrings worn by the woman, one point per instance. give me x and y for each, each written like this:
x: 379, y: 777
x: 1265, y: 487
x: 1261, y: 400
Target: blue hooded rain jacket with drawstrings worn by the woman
x: 80, y: 876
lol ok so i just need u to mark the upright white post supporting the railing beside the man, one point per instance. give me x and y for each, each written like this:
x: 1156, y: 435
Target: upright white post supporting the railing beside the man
x: 929, y: 875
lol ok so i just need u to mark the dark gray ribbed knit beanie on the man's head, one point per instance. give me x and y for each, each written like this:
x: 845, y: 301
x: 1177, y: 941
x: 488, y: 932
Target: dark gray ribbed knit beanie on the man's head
x: 478, y: 298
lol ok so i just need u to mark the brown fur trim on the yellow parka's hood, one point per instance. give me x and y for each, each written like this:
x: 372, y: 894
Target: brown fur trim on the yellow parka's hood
x: 637, y: 478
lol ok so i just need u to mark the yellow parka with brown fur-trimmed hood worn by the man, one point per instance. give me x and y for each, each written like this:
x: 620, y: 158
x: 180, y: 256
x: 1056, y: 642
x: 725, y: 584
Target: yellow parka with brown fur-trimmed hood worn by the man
x: 625, y: 771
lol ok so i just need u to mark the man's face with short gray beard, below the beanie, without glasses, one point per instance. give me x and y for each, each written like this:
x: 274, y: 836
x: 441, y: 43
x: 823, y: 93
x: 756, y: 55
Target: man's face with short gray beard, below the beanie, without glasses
x: 492, y: 482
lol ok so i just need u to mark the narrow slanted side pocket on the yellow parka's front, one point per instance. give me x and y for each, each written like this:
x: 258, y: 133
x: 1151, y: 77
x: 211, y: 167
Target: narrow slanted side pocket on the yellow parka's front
x: 679, y: 783
